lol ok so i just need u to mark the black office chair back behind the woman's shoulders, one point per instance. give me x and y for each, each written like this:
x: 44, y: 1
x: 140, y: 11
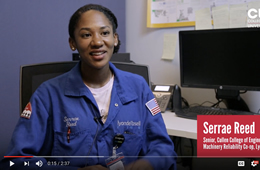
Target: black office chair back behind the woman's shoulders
x: 31, y: 76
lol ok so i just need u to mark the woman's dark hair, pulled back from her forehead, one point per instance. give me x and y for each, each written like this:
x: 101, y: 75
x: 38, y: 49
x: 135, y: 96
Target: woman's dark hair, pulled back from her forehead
x: 76, y: 16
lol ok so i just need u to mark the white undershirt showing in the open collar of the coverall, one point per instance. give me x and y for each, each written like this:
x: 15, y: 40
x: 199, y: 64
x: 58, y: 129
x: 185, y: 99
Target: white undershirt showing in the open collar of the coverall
x: 102, y: 96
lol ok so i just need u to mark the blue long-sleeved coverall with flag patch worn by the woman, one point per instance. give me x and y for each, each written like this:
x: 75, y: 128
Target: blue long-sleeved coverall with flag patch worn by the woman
x: 65, y: 103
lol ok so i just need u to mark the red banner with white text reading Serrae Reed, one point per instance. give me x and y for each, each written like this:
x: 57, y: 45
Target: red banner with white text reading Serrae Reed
x: 228, y: 136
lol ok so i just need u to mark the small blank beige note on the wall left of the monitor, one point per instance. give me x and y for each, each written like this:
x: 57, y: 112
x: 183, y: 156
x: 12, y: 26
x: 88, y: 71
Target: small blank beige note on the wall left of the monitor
x: 169, y: 46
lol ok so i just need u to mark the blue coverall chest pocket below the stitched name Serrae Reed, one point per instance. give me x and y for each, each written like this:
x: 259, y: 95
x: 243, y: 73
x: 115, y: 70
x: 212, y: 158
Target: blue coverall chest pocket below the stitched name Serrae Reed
x: 67, y: 144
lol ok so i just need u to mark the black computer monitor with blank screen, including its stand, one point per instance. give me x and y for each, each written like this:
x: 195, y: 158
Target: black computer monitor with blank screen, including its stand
x: 223, y: 59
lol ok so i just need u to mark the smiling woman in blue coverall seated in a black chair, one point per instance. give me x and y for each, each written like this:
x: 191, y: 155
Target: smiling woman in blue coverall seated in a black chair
x: 95, y: 111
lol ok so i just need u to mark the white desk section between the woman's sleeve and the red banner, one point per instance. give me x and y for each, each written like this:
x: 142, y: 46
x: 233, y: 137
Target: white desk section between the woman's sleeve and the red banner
x: 177, y: 126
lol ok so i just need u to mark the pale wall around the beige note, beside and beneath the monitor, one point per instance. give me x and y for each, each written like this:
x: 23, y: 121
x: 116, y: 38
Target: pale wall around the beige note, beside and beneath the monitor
x: 146, y: 46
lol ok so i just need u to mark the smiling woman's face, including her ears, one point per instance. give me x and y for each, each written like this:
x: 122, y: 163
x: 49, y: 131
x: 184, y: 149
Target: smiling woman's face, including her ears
x: 94, y: 39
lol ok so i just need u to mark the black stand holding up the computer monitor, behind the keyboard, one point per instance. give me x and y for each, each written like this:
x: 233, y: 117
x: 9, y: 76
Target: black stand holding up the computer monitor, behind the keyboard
x: 232, y: 99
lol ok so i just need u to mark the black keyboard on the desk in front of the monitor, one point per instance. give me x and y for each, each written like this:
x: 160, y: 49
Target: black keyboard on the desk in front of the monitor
x: 192, y: 112
